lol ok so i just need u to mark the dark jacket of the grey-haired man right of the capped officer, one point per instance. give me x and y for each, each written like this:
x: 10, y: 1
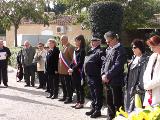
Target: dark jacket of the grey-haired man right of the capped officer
x: 113, y: 65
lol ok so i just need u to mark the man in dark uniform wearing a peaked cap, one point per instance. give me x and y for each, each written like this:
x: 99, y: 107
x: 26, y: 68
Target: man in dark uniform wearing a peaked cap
x: 92, y: 69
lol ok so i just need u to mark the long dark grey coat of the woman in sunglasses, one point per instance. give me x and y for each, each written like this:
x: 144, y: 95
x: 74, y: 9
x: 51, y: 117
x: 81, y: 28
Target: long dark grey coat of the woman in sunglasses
x: 134, y: 83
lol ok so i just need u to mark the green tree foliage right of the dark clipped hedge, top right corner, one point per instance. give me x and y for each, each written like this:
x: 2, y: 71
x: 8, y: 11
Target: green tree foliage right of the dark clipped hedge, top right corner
x: 139, y: 12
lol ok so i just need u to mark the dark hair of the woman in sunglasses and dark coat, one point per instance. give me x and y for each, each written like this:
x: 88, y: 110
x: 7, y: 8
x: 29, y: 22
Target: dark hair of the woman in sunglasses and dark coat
x: 139, y: 44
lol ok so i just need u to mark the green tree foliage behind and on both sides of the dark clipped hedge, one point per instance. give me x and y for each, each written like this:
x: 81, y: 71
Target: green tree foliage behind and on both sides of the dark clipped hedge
x: 137, y: 13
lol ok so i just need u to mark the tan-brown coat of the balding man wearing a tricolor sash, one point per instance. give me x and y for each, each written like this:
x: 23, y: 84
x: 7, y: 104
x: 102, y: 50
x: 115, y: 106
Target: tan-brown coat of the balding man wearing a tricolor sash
x: 68, y: 55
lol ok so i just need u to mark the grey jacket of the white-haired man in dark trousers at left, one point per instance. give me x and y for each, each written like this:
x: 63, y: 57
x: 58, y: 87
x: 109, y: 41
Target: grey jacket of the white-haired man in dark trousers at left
x: 28, y: 56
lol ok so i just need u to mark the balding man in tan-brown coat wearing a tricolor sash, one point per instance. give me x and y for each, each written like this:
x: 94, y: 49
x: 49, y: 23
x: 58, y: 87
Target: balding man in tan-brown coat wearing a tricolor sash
x: 65, y: 59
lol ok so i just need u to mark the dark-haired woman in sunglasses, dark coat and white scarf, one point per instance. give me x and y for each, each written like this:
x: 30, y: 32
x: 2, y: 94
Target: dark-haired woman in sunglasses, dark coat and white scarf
x: 134, y: 79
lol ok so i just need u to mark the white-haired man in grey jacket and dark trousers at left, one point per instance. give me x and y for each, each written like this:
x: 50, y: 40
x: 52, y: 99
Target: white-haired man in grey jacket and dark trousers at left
x: 28, y: 53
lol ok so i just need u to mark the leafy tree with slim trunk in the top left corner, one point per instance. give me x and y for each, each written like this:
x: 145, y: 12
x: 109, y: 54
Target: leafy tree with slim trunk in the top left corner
x: 13, y: 11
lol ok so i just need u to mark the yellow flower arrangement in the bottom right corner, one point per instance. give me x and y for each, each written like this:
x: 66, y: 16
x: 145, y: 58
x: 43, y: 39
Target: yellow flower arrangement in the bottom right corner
x: 148, y: 113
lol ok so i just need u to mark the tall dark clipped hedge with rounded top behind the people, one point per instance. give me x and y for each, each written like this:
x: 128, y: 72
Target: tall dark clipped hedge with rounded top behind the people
x: 105, y: 16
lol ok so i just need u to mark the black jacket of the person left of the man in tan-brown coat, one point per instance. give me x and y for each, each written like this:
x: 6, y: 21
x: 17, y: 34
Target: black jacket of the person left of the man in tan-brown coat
x: 51, y: 64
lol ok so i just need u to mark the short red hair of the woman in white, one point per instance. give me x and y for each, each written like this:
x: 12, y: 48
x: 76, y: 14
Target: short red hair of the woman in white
x: 153, y: 41
